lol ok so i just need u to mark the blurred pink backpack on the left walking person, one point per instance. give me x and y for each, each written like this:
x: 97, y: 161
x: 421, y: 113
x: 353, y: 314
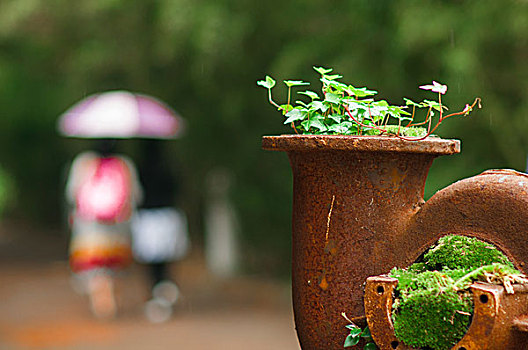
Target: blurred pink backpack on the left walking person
x: 105, y: 195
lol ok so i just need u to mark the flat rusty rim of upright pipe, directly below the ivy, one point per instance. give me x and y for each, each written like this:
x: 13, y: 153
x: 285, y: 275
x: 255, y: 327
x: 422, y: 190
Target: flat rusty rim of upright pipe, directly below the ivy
x: 431, y: 145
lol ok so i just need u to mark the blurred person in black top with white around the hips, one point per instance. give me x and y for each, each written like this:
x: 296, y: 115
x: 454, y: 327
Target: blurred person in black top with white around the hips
x: 159, y: 231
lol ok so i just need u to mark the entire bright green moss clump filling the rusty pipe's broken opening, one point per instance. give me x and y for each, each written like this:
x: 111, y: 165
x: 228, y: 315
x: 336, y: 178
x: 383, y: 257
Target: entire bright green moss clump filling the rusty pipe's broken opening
x: 433, y: 302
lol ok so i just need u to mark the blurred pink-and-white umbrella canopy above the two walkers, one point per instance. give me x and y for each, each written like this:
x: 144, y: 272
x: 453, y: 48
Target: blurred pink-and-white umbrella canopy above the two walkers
x: 120, y: 114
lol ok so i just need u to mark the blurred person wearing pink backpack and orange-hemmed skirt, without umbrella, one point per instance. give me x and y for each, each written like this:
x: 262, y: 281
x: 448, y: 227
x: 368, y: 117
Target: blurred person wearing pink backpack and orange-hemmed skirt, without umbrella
x: 103, y: 191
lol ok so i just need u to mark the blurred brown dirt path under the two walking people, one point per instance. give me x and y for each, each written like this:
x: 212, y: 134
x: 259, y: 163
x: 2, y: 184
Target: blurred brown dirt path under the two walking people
x: 40, y: 310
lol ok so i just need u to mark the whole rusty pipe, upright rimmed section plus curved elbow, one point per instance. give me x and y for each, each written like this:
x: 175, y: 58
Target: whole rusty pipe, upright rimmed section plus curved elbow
x: 358, y: 211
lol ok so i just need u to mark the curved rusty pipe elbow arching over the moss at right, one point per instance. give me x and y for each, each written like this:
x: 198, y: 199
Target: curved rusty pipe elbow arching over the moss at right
x: 491, y: 206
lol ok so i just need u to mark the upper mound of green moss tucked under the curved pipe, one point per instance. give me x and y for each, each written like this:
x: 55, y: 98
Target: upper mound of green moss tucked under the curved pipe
x: 460, y: 252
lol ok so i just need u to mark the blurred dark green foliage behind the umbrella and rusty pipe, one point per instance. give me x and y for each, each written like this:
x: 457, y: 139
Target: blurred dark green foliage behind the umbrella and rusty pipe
x: 203, y: 57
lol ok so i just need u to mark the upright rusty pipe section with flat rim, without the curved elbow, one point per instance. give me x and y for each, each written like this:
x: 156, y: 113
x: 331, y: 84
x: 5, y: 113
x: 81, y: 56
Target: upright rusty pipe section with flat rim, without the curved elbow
x: 353, y: 200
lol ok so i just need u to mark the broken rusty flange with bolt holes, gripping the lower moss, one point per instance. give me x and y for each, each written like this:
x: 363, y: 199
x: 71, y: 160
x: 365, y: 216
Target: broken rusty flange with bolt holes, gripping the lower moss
x: 499, y: 318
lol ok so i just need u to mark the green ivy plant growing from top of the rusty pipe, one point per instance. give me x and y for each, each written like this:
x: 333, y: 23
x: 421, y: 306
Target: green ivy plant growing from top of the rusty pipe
x: 343, y: 109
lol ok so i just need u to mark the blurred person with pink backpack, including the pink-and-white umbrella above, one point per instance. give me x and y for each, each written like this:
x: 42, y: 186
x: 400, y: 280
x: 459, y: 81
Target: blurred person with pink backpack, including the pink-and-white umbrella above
x: 103, y: 189
